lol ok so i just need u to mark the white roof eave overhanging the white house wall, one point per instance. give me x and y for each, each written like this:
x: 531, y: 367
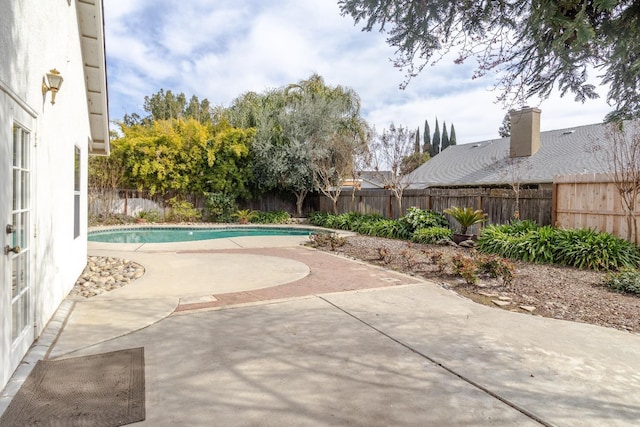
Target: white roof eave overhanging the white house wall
x: 91, y: 25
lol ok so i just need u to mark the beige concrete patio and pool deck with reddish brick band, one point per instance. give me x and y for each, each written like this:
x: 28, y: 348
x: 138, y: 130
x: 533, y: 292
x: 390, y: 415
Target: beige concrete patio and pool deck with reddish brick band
x: 339, y: 342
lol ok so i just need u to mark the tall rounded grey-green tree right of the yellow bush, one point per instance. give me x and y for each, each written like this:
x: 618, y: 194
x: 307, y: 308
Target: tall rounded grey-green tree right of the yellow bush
x: 307, y: 136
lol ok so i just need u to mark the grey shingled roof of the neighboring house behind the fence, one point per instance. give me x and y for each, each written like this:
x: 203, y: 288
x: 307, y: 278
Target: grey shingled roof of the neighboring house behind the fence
x: 562, y: 152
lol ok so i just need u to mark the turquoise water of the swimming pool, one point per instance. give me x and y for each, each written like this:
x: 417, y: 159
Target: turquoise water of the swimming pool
x: 183, y: 234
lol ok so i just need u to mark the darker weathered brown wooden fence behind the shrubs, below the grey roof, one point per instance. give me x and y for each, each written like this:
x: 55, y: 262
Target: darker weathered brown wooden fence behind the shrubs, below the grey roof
x: 498, y: 203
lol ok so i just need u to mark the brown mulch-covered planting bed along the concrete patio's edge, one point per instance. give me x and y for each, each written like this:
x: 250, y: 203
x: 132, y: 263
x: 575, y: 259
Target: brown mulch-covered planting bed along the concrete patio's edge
x: 543, y: 290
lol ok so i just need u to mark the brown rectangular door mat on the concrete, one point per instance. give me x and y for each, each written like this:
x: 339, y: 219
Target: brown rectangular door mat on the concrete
x: 100, y: 390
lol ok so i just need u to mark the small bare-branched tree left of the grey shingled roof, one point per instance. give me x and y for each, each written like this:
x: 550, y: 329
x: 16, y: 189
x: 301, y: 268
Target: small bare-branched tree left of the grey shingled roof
x: 387, y: 154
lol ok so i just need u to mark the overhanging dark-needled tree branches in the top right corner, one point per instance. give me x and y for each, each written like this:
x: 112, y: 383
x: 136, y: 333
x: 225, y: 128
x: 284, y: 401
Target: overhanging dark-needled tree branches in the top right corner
x: 532, y: 46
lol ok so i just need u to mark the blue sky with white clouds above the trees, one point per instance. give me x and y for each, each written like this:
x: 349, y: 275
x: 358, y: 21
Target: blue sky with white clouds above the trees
x: 221, y: 49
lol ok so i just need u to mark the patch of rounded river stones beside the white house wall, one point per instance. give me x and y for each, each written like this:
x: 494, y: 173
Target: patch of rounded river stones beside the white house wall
x: 104, y: 274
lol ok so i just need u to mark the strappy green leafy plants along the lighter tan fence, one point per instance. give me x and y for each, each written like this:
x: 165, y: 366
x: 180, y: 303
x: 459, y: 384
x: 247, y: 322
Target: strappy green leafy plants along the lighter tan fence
x: 581, y: 248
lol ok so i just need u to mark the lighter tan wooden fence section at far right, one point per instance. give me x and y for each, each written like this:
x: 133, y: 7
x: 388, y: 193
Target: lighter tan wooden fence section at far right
x: 590, y: 201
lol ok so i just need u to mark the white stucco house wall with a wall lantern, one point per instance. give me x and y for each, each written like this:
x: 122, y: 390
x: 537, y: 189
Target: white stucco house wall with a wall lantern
x: 34, y: 38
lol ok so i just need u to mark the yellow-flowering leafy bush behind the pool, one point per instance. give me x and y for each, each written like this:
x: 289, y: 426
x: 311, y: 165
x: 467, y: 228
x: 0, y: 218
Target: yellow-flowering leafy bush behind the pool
x: 185, y: 157
